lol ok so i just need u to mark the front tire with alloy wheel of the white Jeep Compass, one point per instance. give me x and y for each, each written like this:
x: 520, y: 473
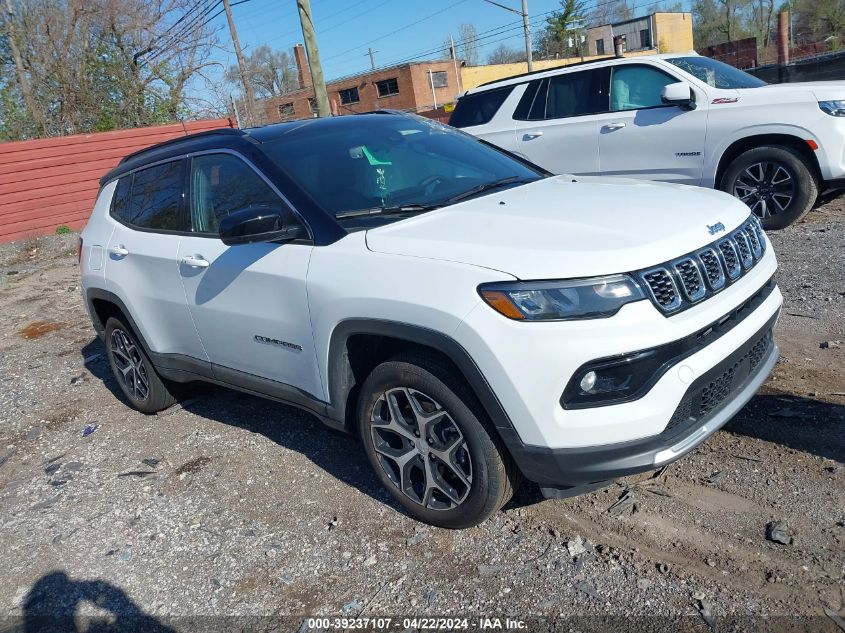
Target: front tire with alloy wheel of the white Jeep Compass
x: 471, y: 475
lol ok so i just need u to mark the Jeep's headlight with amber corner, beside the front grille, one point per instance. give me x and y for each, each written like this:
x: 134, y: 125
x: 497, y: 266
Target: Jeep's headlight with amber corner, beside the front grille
x: 592, y: 298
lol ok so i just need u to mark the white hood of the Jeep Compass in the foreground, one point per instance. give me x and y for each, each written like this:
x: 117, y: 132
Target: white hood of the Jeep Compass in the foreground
x: 565, y: 227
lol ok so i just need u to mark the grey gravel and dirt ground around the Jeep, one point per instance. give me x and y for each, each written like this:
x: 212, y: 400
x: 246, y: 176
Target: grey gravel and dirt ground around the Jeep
x: 229, y: 505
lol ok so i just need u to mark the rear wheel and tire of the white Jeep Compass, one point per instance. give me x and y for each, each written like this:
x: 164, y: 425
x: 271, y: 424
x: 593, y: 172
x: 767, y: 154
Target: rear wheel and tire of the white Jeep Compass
x: 133, y: 371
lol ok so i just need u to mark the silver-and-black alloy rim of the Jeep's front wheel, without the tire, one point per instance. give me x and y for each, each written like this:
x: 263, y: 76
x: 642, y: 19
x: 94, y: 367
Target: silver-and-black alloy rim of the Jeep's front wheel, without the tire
x: 421, y: 449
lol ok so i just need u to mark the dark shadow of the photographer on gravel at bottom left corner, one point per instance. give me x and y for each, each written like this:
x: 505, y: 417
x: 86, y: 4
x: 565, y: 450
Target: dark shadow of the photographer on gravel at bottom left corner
x: 54, y: 602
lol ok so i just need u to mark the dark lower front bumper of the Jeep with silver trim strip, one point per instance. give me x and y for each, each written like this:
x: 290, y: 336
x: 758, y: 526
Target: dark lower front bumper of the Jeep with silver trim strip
x: 709, y: 403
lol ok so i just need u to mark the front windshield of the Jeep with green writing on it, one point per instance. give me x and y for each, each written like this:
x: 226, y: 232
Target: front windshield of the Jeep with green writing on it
x: 391, y: 165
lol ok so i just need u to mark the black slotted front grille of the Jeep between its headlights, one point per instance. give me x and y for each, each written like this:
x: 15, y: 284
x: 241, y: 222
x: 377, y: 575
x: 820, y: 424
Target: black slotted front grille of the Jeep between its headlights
x: 682, y: 282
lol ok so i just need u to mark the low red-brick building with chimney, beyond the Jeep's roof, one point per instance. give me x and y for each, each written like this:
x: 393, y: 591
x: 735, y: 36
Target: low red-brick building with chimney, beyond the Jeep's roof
x: 413, y: 87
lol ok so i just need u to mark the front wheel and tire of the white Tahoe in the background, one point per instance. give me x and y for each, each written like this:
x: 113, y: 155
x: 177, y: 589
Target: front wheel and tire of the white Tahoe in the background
x: 776, y: 181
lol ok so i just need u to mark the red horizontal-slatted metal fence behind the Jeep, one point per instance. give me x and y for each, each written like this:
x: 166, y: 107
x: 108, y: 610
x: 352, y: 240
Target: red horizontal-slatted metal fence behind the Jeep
x: 52, y: 182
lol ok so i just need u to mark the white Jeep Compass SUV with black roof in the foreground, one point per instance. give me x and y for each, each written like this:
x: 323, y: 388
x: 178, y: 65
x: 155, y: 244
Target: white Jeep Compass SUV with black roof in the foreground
x: 472, y: 318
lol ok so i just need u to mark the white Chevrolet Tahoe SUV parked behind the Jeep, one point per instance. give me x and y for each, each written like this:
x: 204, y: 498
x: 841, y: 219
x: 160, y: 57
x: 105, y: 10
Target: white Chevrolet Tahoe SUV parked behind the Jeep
x: 677, y: 118
